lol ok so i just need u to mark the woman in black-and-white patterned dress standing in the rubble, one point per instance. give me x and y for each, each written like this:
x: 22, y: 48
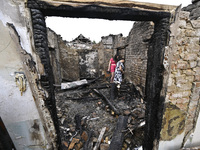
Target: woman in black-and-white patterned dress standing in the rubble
x: 119, y: 70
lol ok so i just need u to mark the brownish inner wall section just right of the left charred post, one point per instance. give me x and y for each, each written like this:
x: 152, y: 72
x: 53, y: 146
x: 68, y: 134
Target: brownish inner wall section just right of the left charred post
x: 64, y: 59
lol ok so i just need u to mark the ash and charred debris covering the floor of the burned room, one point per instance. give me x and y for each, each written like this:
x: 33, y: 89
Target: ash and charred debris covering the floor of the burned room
x: 83, y: 114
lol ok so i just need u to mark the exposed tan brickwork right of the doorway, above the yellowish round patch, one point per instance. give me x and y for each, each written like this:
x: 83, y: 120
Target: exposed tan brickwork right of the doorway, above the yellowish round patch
x: 183, y: 86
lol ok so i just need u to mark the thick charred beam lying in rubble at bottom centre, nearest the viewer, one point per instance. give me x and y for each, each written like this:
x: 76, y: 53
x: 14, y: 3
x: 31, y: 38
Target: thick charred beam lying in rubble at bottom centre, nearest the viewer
x: 118, y: 135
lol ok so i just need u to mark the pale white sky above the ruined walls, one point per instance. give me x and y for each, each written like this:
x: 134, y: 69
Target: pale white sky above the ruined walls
x: 94, y: 29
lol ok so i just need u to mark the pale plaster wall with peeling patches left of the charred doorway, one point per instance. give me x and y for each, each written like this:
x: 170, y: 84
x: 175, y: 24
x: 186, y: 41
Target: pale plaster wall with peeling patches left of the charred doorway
x: 18, y: 109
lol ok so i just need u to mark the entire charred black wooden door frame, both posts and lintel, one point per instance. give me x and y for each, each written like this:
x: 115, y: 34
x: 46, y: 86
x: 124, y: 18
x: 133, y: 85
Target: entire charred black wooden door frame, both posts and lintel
x: 155, y: 102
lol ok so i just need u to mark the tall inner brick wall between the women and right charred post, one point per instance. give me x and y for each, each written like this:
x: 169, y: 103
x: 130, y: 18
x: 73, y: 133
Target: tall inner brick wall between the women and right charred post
x: 136, y: 53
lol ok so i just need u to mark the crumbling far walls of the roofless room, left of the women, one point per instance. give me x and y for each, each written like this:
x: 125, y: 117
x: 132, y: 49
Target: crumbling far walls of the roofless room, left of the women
x: 73, y: 60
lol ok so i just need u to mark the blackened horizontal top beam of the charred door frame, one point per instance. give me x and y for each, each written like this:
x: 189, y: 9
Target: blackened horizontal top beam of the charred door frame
x: 91, y: 10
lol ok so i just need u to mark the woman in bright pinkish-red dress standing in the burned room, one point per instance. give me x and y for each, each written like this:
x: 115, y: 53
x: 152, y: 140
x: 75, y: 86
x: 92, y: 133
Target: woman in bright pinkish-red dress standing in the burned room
x: 112, y: 66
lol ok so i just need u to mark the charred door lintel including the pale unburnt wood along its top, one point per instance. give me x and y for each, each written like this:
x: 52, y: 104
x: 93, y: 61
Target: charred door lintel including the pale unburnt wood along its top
x: 124, y: 10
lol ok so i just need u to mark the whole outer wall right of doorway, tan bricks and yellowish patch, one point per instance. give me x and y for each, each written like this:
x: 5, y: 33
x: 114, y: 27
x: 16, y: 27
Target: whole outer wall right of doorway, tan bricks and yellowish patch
x: 183, y: 84
